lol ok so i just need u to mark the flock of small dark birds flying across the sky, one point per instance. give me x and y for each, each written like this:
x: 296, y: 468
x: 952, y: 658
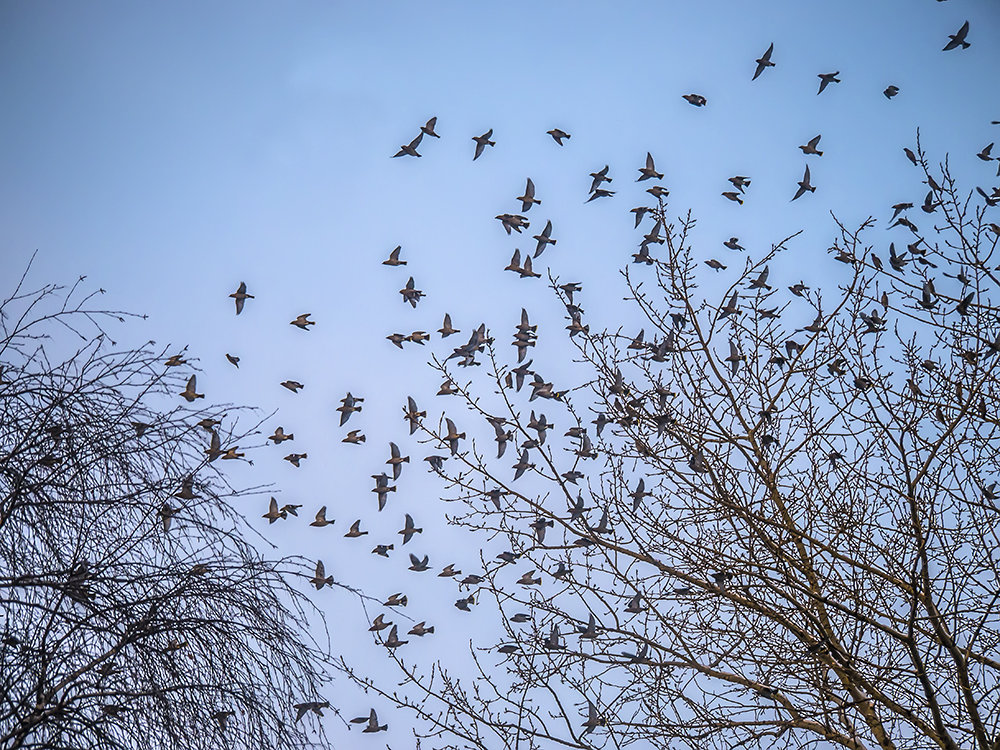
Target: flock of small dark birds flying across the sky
x: 524, y: 337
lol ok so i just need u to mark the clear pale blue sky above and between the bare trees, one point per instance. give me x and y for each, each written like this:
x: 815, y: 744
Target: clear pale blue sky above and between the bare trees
x: 170, y: 150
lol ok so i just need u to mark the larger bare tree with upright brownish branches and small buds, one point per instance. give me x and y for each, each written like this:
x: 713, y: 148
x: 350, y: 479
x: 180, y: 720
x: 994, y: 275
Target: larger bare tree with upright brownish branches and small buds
x: 765, y: 516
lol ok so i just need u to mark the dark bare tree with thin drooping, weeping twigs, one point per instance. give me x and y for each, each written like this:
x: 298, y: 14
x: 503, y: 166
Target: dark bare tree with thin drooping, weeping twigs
x: 134, y: 612
